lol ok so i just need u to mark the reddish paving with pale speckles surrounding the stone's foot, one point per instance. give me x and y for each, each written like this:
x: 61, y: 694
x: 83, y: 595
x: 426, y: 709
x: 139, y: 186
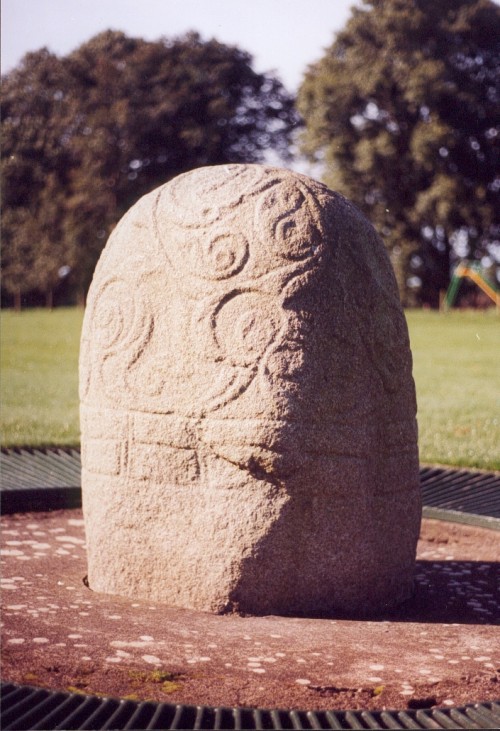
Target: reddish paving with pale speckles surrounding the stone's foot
x: 441, y: 648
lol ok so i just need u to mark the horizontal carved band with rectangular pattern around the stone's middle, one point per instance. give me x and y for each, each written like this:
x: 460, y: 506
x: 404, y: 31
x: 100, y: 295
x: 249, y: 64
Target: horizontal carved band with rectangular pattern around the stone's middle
x: 331, y: 440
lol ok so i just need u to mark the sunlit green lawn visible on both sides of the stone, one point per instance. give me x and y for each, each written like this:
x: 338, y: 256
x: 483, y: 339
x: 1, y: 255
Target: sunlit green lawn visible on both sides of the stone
x: 456, y: 368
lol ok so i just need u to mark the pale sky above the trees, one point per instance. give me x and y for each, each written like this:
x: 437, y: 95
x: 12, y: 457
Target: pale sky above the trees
x: 283, y: 36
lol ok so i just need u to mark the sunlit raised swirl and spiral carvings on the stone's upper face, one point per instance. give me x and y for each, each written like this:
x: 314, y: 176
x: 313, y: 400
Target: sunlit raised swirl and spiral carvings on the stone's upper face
x: 228, y: 294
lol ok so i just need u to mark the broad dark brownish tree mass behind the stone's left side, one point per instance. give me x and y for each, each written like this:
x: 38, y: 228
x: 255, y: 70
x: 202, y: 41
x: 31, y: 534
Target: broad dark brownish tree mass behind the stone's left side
x: 108, y: 123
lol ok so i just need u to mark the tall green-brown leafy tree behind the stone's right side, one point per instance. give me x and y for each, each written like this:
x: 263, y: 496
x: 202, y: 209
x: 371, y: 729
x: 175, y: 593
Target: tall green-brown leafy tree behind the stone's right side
x: 402, y: 113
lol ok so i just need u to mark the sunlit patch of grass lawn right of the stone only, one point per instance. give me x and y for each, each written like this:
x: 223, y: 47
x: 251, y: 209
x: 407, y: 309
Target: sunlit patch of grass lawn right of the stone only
x: 456, y: 366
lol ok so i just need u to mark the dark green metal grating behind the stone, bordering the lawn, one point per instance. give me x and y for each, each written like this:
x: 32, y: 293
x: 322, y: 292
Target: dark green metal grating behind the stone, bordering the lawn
x: 49, y: 478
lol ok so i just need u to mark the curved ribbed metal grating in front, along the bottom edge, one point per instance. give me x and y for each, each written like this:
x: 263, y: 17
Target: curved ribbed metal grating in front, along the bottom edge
x: 23, y: 707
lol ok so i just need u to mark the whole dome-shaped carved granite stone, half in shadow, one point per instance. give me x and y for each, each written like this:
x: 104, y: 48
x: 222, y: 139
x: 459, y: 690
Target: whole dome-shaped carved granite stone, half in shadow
x: 249, y: 438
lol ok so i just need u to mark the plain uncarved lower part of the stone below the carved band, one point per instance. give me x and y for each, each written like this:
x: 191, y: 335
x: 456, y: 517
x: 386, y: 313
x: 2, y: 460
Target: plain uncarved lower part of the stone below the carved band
x: 255, y: 548
